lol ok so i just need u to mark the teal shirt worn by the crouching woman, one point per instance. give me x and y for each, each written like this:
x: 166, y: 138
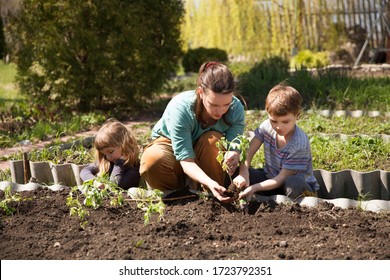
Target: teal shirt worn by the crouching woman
x: 179, y: 124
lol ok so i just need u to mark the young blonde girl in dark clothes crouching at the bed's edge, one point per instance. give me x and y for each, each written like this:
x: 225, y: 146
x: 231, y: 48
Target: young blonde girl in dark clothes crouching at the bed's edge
x: 116, y: 155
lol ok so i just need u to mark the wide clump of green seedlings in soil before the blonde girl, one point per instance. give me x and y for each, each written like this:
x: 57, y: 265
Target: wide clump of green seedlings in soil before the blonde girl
x: 94, y: 195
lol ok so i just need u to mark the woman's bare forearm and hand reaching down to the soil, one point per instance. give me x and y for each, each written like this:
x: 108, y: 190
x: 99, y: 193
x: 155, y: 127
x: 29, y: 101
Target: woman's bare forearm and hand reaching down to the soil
x: 196, y: 173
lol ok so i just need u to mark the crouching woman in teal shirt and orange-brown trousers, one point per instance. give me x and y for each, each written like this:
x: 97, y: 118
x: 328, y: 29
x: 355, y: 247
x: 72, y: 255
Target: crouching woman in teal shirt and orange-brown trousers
x: 184, y: 139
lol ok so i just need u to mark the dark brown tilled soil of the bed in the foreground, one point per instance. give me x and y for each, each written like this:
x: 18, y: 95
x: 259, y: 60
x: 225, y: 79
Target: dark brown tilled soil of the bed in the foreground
x: 192, y: 229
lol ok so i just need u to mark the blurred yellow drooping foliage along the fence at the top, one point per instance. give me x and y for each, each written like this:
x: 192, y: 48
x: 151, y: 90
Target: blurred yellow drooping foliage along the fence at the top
x: 253, y: 30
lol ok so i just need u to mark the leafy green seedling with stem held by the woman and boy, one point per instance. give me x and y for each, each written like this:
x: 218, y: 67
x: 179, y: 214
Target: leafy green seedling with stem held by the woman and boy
x: 239, y: 143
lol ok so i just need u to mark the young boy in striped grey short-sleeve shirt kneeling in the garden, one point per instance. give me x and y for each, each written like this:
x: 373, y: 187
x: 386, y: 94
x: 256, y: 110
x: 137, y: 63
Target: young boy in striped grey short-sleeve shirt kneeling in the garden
x: 288, y: 166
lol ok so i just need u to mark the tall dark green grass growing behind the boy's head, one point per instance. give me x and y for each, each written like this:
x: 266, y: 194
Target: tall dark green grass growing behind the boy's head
x: 327, y: 88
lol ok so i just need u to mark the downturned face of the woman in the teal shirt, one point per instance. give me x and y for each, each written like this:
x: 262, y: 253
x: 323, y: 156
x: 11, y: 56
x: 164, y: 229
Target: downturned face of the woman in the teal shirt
x: 216, y: 104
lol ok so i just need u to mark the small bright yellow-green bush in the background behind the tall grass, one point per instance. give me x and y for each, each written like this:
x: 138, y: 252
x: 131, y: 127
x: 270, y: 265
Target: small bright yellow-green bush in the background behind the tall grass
x: 309, y: 59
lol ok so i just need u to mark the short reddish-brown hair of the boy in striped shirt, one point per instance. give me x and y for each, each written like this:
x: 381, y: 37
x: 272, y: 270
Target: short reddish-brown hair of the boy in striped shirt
x: 283, y: 99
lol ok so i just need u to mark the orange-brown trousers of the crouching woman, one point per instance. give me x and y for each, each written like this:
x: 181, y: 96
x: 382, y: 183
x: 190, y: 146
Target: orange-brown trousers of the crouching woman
x: 162, y: 171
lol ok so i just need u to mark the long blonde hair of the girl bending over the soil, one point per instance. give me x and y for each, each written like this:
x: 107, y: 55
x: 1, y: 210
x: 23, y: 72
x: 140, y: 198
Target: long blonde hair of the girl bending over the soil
x: 115, y: 134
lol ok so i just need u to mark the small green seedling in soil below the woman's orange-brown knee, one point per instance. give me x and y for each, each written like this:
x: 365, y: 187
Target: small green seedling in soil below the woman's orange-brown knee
x: 150, y: 201
